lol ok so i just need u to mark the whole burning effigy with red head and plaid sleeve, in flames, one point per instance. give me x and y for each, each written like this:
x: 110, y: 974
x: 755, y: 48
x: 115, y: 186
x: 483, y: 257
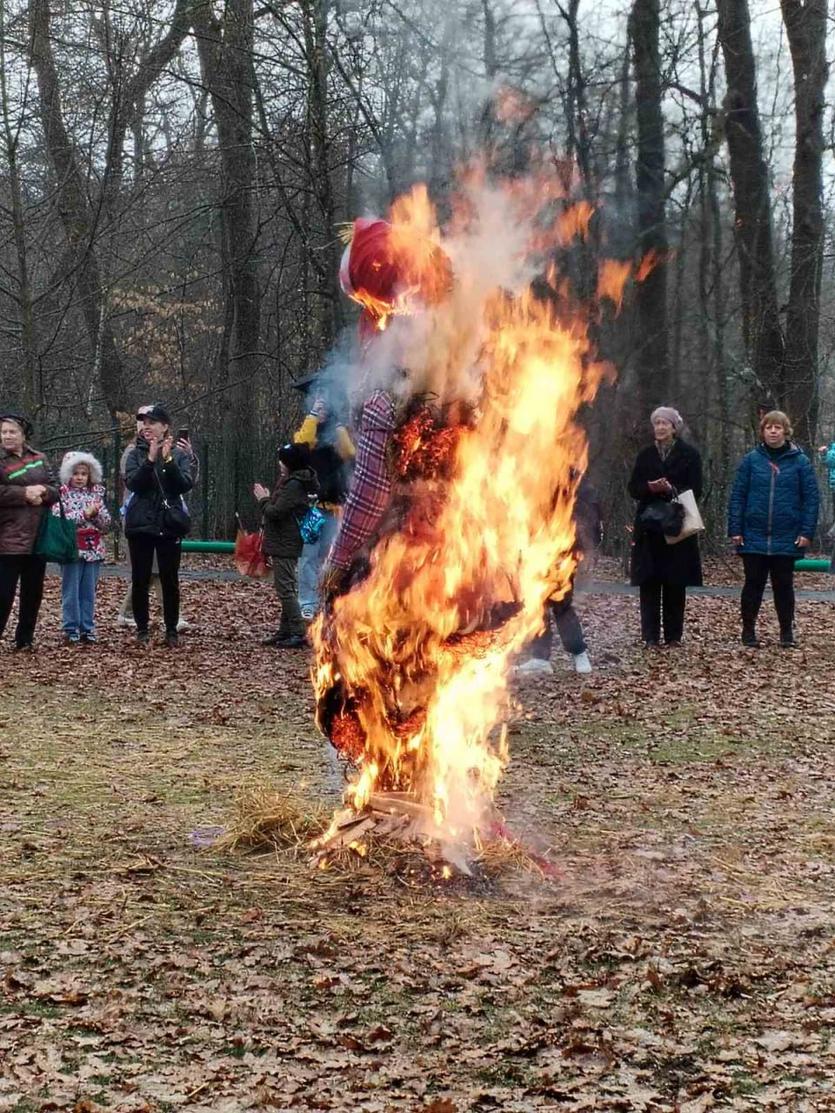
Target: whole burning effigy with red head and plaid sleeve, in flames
x: 459, y: 525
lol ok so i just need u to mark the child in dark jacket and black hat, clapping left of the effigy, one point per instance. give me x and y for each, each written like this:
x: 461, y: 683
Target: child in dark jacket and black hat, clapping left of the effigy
x: 283, y: 510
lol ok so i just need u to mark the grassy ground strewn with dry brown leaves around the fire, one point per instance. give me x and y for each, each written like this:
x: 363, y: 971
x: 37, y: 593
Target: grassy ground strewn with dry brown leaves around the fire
x: 683, y: 959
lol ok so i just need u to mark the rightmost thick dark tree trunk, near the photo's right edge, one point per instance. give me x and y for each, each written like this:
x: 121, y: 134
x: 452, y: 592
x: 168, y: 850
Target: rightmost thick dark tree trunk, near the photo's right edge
x: 807, y: 31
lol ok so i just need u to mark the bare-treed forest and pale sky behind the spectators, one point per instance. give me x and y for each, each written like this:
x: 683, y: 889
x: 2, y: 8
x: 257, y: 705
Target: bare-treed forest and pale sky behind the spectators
x: 173, y: 174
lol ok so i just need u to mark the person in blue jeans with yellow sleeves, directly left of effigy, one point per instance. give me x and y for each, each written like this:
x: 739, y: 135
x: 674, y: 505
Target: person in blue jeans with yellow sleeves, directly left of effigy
x: 332, y: 454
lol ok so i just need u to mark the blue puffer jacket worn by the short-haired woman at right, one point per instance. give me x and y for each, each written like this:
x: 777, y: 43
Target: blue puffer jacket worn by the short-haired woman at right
x: 774, y: 501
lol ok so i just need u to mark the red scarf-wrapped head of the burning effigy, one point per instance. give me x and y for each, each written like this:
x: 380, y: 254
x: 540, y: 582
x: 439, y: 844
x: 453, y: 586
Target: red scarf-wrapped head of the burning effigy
x: 384, y: 267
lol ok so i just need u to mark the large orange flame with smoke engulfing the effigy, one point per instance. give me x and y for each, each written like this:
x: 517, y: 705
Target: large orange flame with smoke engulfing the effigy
x: 420, y: 651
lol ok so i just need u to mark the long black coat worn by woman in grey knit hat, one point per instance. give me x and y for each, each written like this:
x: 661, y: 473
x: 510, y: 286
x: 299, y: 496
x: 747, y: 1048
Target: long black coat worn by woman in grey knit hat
x: 653, y: 558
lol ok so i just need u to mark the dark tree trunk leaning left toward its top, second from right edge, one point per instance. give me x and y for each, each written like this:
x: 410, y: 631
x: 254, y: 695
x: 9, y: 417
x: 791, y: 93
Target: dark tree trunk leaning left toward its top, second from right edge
x: 753, y: 214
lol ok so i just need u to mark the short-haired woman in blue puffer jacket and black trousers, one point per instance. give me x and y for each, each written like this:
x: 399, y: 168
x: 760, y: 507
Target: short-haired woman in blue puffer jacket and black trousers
x: 772, y: 519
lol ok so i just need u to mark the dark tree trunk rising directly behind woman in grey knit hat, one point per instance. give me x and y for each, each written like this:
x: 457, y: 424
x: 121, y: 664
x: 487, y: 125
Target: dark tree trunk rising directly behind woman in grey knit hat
x: 652, y: 294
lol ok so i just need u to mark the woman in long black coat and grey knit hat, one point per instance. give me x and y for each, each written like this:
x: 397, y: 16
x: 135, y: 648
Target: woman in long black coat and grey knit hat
x: 663, y: 572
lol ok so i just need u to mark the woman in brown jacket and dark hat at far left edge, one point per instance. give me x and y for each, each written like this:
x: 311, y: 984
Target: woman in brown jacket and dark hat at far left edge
x: 27, y: 486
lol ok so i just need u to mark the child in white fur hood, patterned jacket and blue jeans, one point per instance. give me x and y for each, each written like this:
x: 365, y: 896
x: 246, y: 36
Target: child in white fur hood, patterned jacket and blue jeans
x: 83, y: 497
